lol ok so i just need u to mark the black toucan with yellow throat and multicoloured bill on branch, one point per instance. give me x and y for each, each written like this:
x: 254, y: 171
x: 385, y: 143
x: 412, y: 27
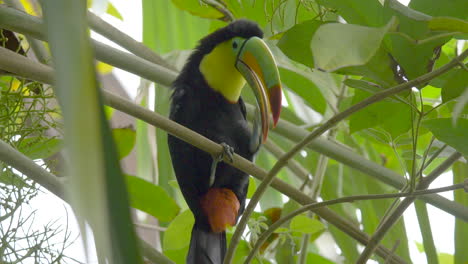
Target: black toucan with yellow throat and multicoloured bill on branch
x: 206, y: 98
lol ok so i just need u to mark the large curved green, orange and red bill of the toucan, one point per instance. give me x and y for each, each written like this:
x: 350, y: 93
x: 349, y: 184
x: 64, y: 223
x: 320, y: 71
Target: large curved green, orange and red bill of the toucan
x: 256, y: 63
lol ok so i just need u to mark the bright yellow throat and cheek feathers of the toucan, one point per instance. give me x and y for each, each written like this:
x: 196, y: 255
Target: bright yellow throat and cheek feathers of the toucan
x: 218, y: 69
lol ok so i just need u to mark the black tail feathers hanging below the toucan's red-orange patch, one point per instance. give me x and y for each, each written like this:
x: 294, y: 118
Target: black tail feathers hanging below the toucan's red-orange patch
x: 206, y: 247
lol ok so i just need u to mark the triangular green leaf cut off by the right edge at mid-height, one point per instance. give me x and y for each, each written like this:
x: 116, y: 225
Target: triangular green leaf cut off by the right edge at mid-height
x: 454, y: 136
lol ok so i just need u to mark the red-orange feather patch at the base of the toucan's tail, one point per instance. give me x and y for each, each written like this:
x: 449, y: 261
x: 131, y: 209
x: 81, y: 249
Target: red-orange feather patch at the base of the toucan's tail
x: 221, y: 206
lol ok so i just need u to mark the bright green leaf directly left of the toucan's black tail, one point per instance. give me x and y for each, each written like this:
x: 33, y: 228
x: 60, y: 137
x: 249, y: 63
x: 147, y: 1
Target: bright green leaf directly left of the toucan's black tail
x: 177, y: 235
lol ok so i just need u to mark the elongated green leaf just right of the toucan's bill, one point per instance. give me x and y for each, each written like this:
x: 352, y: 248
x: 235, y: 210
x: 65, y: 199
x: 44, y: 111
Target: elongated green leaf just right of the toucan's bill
x: 304, y: 88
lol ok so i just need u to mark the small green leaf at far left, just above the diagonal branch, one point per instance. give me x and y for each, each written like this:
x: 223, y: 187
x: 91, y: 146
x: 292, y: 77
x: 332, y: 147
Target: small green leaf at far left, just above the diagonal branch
x: 39, y: 147
